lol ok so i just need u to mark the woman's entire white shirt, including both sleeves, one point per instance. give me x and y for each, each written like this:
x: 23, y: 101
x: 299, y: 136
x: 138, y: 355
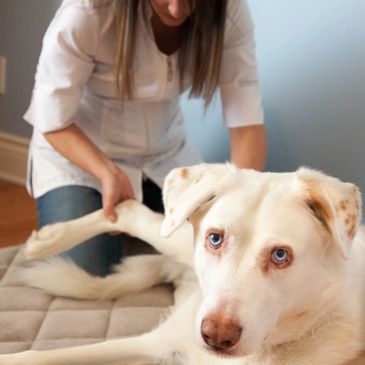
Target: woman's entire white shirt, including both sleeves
x: 74, y: 83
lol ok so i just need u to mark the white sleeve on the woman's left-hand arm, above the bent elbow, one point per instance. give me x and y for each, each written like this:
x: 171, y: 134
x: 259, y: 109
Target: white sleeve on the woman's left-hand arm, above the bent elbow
x: 64, y: 67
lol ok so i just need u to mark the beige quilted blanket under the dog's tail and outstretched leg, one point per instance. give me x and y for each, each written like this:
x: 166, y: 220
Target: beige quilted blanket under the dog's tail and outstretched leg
x: 32, y: 319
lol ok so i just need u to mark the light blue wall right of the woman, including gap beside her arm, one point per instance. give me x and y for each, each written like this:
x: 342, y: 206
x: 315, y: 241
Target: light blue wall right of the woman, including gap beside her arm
x: 311, y: 55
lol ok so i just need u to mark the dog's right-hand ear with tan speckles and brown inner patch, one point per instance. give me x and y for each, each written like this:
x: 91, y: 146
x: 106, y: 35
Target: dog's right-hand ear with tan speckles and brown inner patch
x: 337, y: 205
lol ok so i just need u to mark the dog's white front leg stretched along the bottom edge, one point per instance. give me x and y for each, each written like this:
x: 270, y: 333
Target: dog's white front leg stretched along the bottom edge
x: 144, y: 348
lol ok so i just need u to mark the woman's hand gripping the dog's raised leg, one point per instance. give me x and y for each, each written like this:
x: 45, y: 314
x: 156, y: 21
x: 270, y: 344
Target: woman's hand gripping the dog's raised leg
x: 116, y: 187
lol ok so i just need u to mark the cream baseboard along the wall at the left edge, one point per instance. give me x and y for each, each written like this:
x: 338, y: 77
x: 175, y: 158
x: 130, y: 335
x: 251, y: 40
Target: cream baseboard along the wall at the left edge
x: 13, y: 158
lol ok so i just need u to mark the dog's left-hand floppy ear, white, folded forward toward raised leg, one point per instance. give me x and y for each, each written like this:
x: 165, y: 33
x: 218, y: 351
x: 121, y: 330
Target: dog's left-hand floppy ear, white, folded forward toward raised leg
x: 186, y: 189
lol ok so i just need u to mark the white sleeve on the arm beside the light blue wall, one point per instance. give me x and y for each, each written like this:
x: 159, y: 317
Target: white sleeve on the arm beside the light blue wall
x: 239, y: 84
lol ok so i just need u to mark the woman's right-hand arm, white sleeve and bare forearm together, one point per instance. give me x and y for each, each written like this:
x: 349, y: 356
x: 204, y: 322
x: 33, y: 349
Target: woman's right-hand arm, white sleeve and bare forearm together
x: 240, y: 90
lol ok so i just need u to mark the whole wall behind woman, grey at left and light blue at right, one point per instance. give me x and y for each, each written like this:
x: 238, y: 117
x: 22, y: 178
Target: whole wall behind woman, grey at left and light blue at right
x: 311, y: 55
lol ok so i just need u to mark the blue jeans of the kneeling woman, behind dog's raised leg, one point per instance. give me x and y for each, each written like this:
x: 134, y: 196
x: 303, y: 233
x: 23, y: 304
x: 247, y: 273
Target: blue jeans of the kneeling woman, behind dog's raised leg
x: 98, y: 254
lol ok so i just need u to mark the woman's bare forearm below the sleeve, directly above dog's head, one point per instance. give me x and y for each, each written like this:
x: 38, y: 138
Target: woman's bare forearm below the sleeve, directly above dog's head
x: 248, y: 146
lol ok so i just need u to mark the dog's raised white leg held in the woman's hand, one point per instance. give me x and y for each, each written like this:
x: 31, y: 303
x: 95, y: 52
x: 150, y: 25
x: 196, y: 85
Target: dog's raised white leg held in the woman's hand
x: 134, y: 219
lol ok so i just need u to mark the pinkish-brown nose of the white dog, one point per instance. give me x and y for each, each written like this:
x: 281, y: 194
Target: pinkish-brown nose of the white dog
x: 220, y: 333
